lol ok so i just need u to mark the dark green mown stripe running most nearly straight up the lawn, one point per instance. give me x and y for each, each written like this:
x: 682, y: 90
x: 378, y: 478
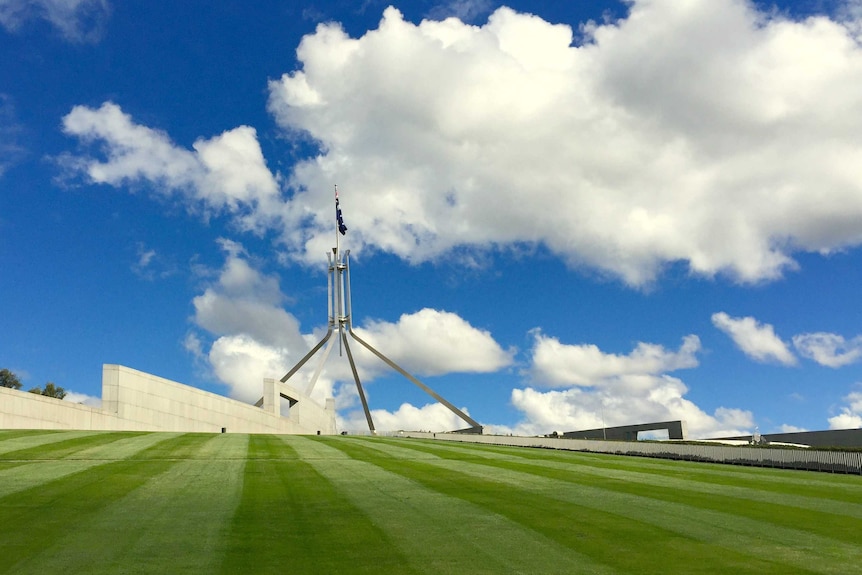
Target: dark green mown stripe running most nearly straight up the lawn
x: 291, y: 519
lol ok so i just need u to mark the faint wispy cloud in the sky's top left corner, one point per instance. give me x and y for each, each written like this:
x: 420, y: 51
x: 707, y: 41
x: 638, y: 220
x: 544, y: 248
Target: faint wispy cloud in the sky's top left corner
x: 76, y: 20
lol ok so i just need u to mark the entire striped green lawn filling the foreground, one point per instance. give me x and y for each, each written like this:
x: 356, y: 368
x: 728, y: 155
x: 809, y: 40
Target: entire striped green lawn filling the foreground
x: 92, y: 502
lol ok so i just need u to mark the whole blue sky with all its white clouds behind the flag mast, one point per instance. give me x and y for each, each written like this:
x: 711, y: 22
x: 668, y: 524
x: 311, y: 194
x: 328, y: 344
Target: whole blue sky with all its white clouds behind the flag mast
x: 560, y: 214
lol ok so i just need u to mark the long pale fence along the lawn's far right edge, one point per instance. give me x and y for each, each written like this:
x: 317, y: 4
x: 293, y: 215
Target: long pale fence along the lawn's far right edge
x: 806, y: 459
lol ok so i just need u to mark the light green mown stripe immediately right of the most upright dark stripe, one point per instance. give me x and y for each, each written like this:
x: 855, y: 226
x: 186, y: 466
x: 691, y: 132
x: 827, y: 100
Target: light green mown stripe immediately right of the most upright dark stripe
x: 440, y: 533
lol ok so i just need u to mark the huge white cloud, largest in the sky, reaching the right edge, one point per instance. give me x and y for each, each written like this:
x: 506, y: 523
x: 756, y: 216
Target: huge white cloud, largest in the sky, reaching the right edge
x: 711, y: 134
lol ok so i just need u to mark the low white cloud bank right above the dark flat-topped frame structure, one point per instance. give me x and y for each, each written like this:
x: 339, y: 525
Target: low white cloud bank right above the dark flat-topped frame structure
x: 604, y: 389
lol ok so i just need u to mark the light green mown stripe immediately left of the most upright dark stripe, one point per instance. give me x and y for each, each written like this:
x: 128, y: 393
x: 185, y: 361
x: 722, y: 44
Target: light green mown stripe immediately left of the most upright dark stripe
x: 175, y: 522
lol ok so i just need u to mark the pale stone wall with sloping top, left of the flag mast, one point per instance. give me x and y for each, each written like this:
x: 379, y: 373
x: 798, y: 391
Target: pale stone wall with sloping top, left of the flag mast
x: 136, y: 401
